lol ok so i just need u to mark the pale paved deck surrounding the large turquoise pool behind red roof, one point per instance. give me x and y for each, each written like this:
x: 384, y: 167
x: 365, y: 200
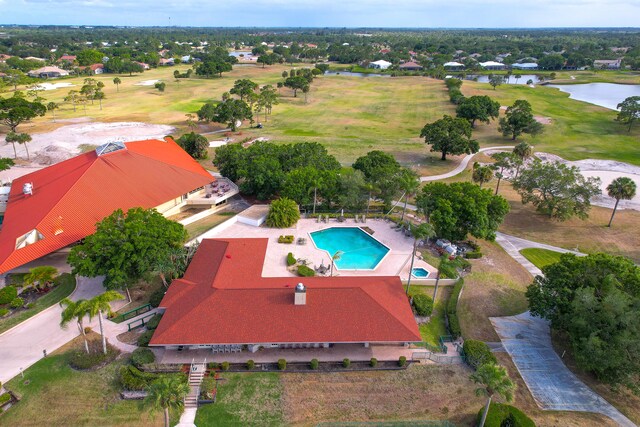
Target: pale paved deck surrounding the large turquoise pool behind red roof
x: 396, y: 262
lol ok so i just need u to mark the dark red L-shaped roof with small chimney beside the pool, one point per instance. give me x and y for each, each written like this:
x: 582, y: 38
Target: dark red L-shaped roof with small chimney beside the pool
x: 223, y: 299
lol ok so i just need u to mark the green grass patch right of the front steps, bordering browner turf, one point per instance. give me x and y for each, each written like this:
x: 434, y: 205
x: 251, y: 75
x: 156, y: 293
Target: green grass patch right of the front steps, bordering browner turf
x: 251, y: 399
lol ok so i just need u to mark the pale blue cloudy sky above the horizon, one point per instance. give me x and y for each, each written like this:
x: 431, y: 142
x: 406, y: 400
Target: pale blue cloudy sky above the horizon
x: 326, y: 13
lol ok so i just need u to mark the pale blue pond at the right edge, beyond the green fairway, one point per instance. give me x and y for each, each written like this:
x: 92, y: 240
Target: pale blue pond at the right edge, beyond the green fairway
x: 607, y: 95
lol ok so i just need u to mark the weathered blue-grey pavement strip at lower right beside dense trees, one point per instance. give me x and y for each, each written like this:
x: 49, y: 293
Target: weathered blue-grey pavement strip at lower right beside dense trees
x: 527, y: 339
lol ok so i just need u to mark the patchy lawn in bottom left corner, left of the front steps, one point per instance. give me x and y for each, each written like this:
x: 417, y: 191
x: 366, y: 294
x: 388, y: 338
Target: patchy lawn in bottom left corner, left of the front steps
x: 57, y: 395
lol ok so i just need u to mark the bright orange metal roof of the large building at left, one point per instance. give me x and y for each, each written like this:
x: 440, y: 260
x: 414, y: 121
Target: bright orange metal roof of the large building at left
x: 70, y: 197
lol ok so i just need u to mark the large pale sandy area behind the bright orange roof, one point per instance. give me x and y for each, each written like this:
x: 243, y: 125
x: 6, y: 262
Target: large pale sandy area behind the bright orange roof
x: 66, y: 141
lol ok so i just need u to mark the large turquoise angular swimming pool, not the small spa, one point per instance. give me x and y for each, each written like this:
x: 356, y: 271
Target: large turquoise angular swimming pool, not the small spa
x: 360, y: 250
